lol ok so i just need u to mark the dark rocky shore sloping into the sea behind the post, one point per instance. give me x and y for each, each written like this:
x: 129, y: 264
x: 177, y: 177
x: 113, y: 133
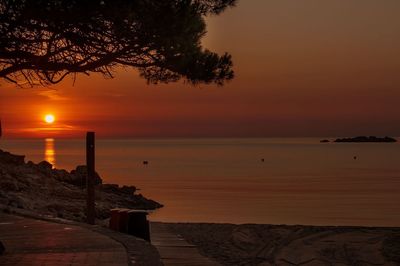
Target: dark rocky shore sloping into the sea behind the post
x: 59, y: 193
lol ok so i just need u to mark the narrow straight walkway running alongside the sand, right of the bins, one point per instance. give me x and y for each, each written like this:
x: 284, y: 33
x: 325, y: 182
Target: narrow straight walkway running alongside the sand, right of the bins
x: 174, y: 250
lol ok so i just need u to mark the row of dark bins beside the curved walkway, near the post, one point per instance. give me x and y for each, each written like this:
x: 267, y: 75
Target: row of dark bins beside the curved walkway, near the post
x: 133, y: 222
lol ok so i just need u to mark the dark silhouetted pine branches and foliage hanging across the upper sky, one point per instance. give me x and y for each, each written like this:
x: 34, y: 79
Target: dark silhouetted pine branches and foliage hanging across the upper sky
x: 45, y: 41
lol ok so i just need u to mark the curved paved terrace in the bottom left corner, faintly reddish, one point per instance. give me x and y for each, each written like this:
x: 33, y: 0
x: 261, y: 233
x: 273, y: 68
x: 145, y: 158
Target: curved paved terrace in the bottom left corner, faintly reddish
x: 35, y: 242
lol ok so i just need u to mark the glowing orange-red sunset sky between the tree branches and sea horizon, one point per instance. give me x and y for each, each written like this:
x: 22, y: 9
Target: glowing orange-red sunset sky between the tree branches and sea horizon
x: 303, y: 68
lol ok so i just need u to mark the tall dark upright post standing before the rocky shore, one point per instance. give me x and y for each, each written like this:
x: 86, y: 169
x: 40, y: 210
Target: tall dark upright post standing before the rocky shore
x: 91, y: 212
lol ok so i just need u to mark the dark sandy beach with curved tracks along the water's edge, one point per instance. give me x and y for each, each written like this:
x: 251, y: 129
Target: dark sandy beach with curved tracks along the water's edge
x: 252, y: 244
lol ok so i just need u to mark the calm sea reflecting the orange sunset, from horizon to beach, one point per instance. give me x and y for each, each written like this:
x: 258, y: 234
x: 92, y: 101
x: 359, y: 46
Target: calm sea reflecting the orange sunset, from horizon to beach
x: 300, y: 181
